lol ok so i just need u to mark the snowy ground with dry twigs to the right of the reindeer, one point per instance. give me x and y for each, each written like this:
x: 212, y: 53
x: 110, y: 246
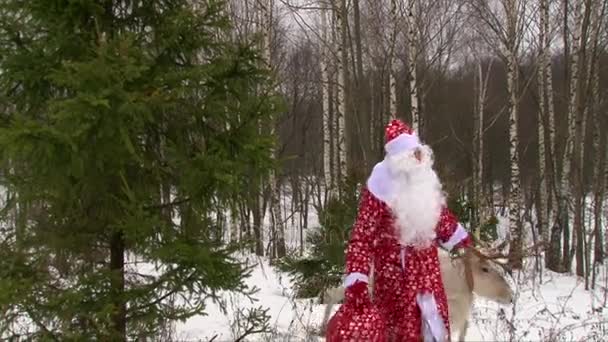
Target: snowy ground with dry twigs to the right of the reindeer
x: 558, y: 309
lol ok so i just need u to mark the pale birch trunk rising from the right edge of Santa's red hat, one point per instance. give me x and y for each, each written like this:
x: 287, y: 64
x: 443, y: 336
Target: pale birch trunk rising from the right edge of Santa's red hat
x: 412, y: 66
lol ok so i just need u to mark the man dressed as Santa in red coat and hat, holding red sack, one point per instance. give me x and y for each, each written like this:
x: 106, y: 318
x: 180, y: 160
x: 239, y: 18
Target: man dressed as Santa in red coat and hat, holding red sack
x: 402, y: 219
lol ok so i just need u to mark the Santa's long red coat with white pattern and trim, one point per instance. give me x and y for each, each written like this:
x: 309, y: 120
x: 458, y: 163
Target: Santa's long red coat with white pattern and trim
x: 405, y: 279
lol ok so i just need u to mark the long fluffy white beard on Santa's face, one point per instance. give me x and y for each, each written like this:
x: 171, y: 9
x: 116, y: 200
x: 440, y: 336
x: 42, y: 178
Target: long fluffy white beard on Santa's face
x: 419, y: 198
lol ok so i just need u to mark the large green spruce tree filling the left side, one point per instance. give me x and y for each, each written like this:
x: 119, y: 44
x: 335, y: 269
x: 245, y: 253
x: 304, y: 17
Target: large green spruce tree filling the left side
x: 124, y: 126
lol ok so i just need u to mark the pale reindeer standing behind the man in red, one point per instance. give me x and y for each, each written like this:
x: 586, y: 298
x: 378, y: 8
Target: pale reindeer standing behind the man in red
x: 461, y: 279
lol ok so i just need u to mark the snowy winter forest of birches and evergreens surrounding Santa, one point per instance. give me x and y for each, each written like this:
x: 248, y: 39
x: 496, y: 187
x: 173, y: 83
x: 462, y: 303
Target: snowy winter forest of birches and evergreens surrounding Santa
x: 184, y: 170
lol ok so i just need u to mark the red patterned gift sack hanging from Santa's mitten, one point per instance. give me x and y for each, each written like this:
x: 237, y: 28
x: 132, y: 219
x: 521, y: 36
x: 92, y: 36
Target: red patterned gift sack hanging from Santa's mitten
x: 357, y: 319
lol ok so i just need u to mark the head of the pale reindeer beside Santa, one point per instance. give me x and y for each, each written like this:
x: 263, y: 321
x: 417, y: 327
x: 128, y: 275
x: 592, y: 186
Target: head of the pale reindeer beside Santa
x: 488, y: 280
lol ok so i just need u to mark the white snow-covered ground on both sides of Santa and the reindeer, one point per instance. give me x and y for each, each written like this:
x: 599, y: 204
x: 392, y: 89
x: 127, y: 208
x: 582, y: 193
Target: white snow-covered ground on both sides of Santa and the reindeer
x: 556, y: 309
